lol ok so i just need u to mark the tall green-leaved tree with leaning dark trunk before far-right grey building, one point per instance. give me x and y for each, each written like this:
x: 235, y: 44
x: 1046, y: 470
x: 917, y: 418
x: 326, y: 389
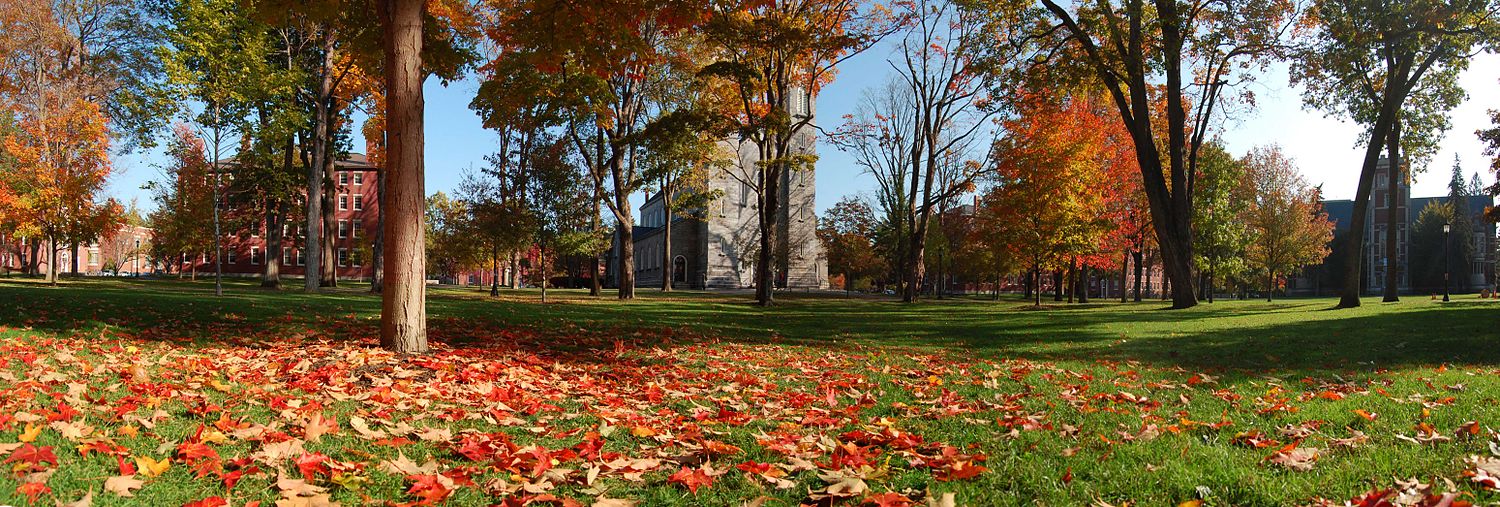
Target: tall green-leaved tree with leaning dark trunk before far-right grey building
x: 1367, y: 61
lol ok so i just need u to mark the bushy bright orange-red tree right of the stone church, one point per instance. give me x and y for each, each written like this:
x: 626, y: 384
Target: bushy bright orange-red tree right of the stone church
x: 1061, y: 191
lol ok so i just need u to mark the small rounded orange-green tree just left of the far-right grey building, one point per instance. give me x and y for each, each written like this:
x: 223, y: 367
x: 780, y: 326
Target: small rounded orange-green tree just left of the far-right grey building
x: 1285, y: 217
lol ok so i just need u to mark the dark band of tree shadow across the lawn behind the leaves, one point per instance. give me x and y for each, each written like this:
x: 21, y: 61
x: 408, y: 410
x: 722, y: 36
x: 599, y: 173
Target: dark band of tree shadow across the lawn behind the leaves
x: 1289, y: 337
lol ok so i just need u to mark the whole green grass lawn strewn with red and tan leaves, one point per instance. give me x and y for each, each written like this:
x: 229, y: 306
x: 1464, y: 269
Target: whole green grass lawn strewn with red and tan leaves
x: 821, y: 400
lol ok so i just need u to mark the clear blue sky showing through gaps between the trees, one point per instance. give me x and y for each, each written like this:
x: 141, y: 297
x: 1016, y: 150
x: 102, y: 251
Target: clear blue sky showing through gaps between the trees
x: 1324, y: 148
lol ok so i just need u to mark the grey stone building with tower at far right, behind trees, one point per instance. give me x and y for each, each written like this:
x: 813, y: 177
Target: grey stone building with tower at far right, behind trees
x: 1373, y: 256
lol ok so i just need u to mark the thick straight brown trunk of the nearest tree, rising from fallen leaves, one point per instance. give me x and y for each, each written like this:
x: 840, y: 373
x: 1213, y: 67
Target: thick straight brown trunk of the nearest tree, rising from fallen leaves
x: 404, y: 301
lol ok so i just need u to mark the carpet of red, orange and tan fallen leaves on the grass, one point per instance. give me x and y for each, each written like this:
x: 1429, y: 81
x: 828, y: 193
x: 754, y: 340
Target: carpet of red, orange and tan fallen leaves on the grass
x: 568, y: 416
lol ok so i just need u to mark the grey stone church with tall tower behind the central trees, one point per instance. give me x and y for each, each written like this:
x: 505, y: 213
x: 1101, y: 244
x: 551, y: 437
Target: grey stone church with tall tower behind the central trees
x: 719, y: 251
